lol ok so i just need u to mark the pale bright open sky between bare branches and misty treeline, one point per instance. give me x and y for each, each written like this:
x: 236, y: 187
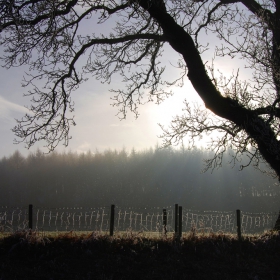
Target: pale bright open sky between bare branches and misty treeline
x: 97, y: 127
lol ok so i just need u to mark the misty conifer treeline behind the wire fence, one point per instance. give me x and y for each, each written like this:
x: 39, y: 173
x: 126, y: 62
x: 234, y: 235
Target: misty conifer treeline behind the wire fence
x: 154, y: 177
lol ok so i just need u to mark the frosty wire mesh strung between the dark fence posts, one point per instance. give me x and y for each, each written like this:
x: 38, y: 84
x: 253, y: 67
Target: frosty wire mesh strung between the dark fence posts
x: 132, y: 220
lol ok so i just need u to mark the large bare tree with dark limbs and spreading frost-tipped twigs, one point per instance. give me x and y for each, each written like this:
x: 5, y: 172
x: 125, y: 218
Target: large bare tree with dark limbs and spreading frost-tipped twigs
x: 47, y: 35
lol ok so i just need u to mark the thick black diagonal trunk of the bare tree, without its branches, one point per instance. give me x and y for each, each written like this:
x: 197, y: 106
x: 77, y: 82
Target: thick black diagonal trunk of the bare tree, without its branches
x: 256, y: 127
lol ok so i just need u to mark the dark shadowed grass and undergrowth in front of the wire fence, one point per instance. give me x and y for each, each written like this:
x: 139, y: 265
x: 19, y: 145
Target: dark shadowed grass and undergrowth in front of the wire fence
x: 33, y: 255
